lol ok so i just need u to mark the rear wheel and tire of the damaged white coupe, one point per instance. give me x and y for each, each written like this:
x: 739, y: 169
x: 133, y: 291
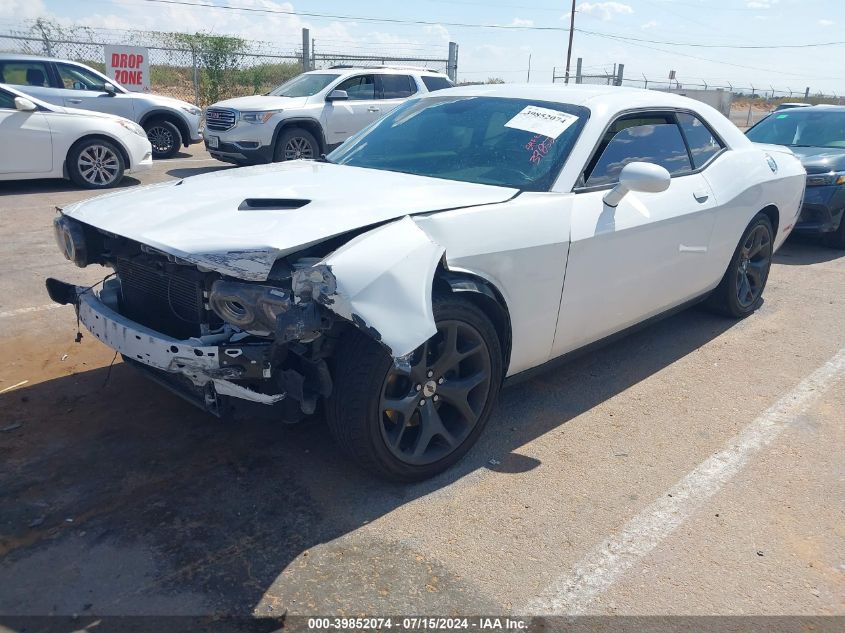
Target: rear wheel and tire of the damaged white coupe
x: 740, y: 292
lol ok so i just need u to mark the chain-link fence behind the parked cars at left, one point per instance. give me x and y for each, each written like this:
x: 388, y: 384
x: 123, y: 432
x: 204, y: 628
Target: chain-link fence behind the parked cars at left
x: 198, y: 68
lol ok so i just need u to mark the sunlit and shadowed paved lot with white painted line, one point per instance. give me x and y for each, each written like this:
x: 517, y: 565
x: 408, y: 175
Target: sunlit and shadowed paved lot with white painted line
x: 585, y: 493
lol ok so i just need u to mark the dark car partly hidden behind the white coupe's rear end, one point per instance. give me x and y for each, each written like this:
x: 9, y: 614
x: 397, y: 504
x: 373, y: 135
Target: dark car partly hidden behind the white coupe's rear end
x: 817, y: 136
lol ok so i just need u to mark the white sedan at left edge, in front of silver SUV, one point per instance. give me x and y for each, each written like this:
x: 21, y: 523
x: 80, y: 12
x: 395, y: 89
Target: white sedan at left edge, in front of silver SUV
x: 41, y: 140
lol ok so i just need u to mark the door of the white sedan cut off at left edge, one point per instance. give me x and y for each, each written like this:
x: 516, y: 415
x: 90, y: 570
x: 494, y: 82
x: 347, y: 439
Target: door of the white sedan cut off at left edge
x: 27, y: 141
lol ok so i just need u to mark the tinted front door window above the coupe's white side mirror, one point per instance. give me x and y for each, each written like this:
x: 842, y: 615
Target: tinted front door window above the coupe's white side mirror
x: 645, y: 138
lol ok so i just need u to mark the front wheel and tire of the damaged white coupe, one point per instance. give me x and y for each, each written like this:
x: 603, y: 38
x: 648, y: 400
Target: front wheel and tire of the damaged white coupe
x: 428, y: 438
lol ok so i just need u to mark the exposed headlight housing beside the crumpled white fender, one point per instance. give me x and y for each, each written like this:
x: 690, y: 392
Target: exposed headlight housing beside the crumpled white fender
x: 254, y: 308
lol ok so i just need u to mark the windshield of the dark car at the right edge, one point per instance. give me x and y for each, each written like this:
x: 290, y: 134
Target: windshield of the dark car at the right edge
x: 801, y: 127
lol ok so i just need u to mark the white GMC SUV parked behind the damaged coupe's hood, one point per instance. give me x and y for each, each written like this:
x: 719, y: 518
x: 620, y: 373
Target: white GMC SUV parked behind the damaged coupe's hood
x: 310, y: 114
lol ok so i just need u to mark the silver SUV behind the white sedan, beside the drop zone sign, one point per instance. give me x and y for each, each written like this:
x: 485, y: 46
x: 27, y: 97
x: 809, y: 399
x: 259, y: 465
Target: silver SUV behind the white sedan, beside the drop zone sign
x: 169, y: 123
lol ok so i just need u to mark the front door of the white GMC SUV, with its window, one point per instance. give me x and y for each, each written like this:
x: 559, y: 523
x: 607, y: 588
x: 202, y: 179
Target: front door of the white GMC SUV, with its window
x: 344, y: 118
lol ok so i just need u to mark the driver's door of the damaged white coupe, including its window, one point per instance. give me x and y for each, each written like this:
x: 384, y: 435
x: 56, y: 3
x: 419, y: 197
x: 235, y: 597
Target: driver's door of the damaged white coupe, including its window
x: 649, y: 253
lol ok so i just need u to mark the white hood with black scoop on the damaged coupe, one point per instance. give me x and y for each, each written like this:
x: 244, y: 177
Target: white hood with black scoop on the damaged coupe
x: 239, y: 221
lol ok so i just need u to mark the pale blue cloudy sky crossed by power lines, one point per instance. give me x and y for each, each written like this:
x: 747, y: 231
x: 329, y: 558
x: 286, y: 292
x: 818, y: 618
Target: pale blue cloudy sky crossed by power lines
x: 504, y: 53
